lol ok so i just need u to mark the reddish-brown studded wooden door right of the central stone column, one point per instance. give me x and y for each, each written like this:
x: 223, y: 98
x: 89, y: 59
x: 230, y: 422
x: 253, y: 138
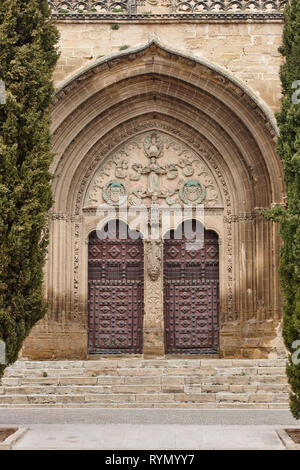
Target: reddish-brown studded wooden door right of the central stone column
x: 191, y: 294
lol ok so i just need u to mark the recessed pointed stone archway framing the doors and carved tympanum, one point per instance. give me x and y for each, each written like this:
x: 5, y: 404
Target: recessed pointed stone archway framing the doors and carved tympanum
x: 200, y: 108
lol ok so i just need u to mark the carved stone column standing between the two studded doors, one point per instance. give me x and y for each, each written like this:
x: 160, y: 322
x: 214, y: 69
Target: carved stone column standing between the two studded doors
x: 153, y: 328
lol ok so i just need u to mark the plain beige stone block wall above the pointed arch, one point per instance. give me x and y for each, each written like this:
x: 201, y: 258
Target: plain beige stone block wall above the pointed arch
x: 249, y: 50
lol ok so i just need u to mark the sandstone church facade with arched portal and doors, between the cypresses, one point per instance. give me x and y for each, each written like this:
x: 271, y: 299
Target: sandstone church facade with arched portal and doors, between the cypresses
x: 164, y: 140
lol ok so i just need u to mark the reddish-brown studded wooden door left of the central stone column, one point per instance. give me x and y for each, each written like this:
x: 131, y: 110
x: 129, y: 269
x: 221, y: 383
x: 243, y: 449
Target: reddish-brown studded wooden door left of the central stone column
x: 116, y: 286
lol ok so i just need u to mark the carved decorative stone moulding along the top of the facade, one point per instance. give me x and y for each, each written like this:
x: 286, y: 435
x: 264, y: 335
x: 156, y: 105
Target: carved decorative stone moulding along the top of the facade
x: 141, y: 7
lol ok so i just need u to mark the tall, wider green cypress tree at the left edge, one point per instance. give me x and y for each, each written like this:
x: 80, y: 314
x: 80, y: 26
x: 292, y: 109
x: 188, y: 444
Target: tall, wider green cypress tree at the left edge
x: 28, y: 55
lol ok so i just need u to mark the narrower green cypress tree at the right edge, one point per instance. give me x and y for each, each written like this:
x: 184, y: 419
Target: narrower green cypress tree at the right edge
x: 288, y: 147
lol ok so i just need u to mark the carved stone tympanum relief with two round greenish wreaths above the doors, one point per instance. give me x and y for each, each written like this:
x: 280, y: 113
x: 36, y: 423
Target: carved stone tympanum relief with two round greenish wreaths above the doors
x: 154, y: 168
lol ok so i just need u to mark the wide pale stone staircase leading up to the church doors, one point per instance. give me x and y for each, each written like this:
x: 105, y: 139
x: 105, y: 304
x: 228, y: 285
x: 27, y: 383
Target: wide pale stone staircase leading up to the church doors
x: 146, y: 383
